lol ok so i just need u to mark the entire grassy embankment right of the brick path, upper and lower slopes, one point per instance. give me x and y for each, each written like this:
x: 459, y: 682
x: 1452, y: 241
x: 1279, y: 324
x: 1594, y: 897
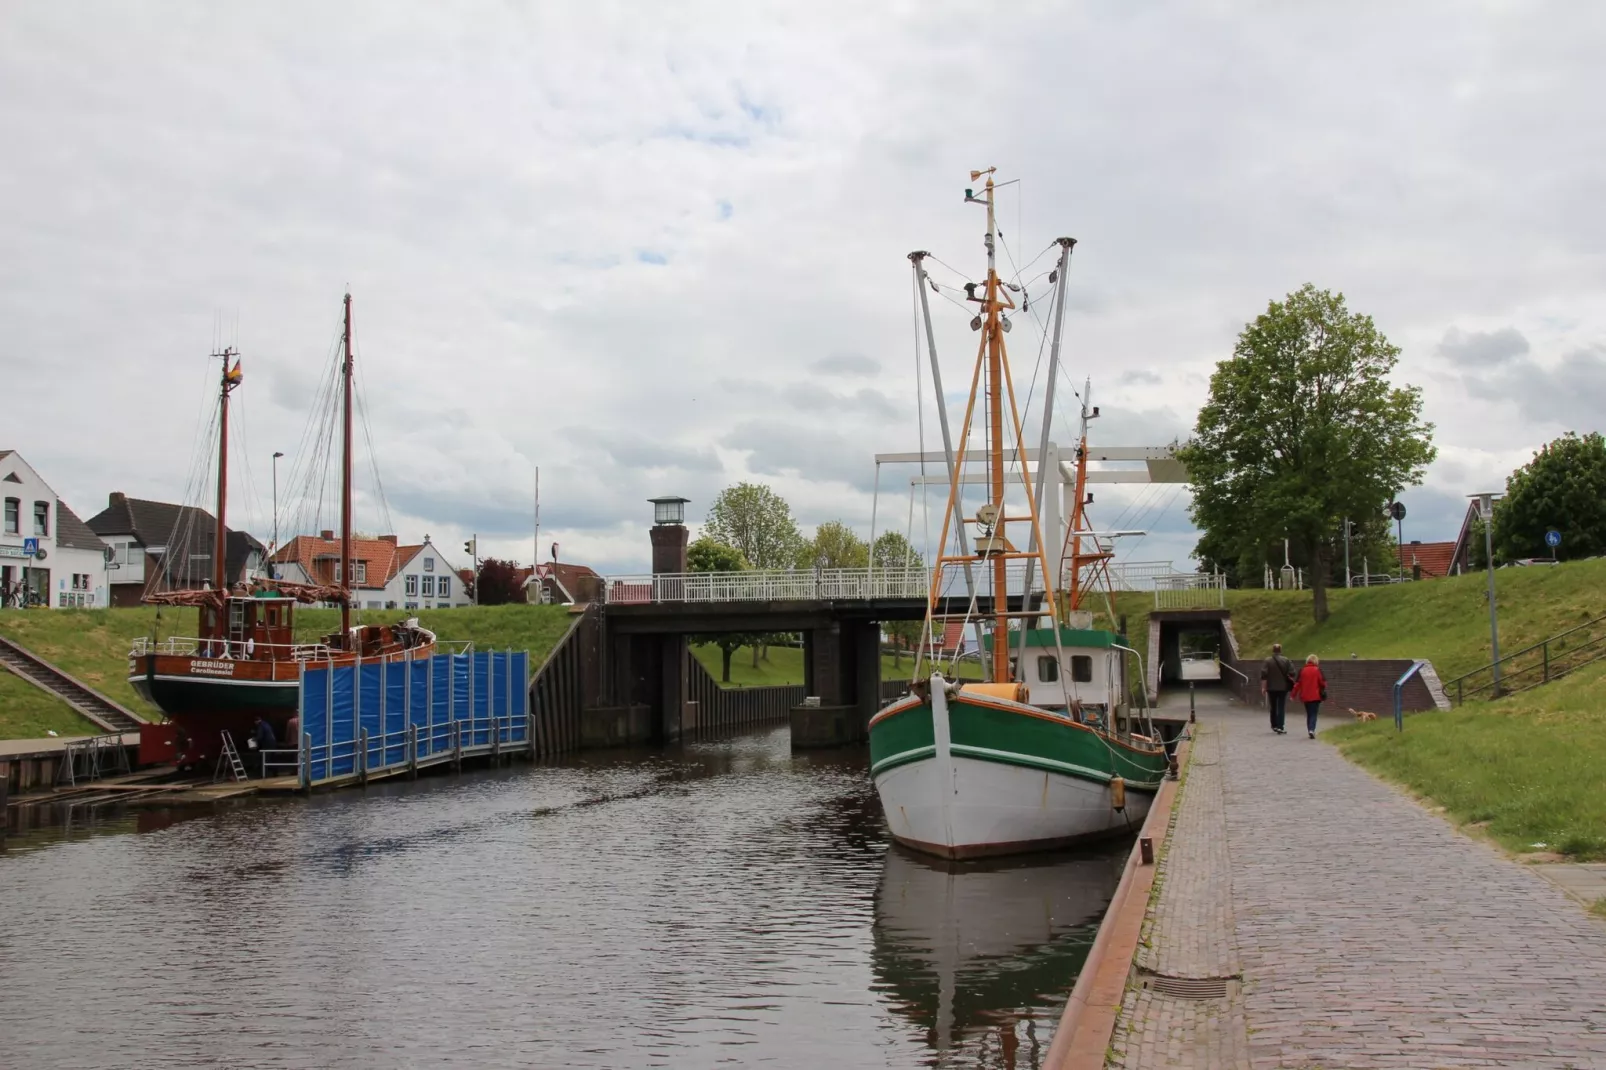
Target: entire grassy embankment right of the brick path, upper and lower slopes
x: 1525, y: 770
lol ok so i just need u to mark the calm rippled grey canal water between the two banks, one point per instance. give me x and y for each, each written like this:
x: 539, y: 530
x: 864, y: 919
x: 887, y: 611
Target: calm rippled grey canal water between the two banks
x: 725, y: 904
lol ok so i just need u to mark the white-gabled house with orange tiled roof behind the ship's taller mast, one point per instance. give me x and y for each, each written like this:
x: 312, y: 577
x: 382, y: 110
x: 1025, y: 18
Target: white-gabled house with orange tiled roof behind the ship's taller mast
x: 388, y: 576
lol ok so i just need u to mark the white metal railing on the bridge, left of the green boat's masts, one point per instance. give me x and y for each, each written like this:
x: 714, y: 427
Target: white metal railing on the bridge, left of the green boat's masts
x: 764, y: 586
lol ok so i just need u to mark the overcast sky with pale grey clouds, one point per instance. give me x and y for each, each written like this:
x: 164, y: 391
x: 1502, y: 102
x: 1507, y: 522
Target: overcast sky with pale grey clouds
x: 661, y: 248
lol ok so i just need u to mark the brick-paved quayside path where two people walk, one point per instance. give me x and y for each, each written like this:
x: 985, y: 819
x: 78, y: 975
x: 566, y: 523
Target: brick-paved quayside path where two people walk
x: 1369, y: 931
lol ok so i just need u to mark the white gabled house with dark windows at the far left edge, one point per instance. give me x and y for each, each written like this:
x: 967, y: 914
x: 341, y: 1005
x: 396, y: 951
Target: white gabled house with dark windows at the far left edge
x: 47, y: 555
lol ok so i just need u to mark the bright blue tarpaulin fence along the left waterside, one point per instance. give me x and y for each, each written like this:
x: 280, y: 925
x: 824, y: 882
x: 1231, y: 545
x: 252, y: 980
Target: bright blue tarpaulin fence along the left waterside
x: 378, y: 717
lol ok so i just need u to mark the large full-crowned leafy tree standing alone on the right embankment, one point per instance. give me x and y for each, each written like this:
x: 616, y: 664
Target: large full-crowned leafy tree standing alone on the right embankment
x: 1303, y: 428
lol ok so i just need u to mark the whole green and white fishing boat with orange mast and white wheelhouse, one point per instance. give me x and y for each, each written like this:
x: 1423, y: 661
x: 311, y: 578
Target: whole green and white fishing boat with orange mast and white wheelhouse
x: 1041, y: 753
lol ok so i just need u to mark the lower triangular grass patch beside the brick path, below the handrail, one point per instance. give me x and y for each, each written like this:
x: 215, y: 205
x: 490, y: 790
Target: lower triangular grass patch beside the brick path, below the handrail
x: 1525, y: 769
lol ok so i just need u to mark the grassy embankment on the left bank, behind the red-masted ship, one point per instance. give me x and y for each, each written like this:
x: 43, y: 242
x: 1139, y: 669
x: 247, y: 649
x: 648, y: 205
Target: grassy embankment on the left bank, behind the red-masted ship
x: 94, y: 647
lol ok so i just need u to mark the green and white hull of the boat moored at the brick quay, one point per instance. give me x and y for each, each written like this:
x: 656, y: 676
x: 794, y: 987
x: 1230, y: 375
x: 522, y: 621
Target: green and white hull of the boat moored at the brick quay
x: 976, y: 777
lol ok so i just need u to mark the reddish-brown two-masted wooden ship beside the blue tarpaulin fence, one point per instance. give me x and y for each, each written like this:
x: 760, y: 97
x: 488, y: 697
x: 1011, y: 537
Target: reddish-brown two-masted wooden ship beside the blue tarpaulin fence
x: 243, y: 661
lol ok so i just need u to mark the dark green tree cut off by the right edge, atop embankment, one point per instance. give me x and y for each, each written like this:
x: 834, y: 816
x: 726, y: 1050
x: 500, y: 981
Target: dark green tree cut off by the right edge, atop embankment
x: 1565, y: 489
